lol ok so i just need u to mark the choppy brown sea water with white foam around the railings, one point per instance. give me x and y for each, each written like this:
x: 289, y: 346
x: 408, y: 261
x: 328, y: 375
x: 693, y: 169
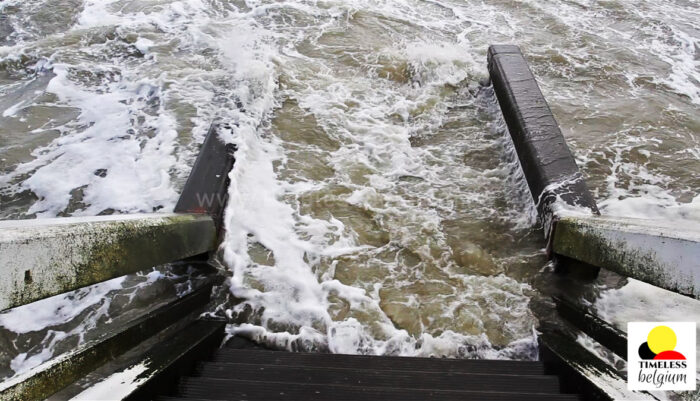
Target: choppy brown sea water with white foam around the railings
x: 375, y: 204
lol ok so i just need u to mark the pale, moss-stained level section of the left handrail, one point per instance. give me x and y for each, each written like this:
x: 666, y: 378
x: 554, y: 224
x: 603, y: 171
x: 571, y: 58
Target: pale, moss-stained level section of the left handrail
x: 45, y: 257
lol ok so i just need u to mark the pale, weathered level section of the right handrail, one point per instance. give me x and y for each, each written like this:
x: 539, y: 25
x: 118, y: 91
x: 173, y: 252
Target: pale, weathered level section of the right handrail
x: 660, y: 253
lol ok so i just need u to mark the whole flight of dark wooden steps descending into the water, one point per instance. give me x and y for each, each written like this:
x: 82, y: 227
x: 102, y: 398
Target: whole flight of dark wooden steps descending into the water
x: 243, y: 371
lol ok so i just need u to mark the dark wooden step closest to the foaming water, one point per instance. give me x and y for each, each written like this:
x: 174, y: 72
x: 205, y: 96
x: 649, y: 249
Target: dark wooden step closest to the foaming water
x: 228, y: 355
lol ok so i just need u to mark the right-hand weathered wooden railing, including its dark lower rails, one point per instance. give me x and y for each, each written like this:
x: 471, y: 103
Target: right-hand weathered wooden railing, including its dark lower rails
x: 657, y: 252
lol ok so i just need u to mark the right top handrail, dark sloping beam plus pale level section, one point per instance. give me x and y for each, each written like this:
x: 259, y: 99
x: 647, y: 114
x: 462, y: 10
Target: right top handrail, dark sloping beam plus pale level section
x: 657, y: 252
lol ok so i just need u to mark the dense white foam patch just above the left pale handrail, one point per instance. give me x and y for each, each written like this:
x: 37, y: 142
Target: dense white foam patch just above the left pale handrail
x: 135, y: 173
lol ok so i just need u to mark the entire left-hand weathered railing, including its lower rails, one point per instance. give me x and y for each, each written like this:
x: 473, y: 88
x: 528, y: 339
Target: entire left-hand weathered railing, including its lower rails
x: 45, y: 257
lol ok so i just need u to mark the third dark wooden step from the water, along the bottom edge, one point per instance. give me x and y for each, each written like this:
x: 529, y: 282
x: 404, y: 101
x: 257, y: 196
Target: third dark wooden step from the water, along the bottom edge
x: 232, y: 389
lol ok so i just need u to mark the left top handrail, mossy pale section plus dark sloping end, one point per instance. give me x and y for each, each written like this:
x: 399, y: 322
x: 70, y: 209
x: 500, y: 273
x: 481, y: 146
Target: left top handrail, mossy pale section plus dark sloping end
x: 45, y: 257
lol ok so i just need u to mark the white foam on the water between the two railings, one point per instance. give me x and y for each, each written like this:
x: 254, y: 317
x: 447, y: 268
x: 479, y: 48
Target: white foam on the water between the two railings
x: 295, y: 299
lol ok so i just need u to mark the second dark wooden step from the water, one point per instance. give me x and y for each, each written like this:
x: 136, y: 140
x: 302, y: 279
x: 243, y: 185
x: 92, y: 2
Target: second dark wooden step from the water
x: 381, y: 378
